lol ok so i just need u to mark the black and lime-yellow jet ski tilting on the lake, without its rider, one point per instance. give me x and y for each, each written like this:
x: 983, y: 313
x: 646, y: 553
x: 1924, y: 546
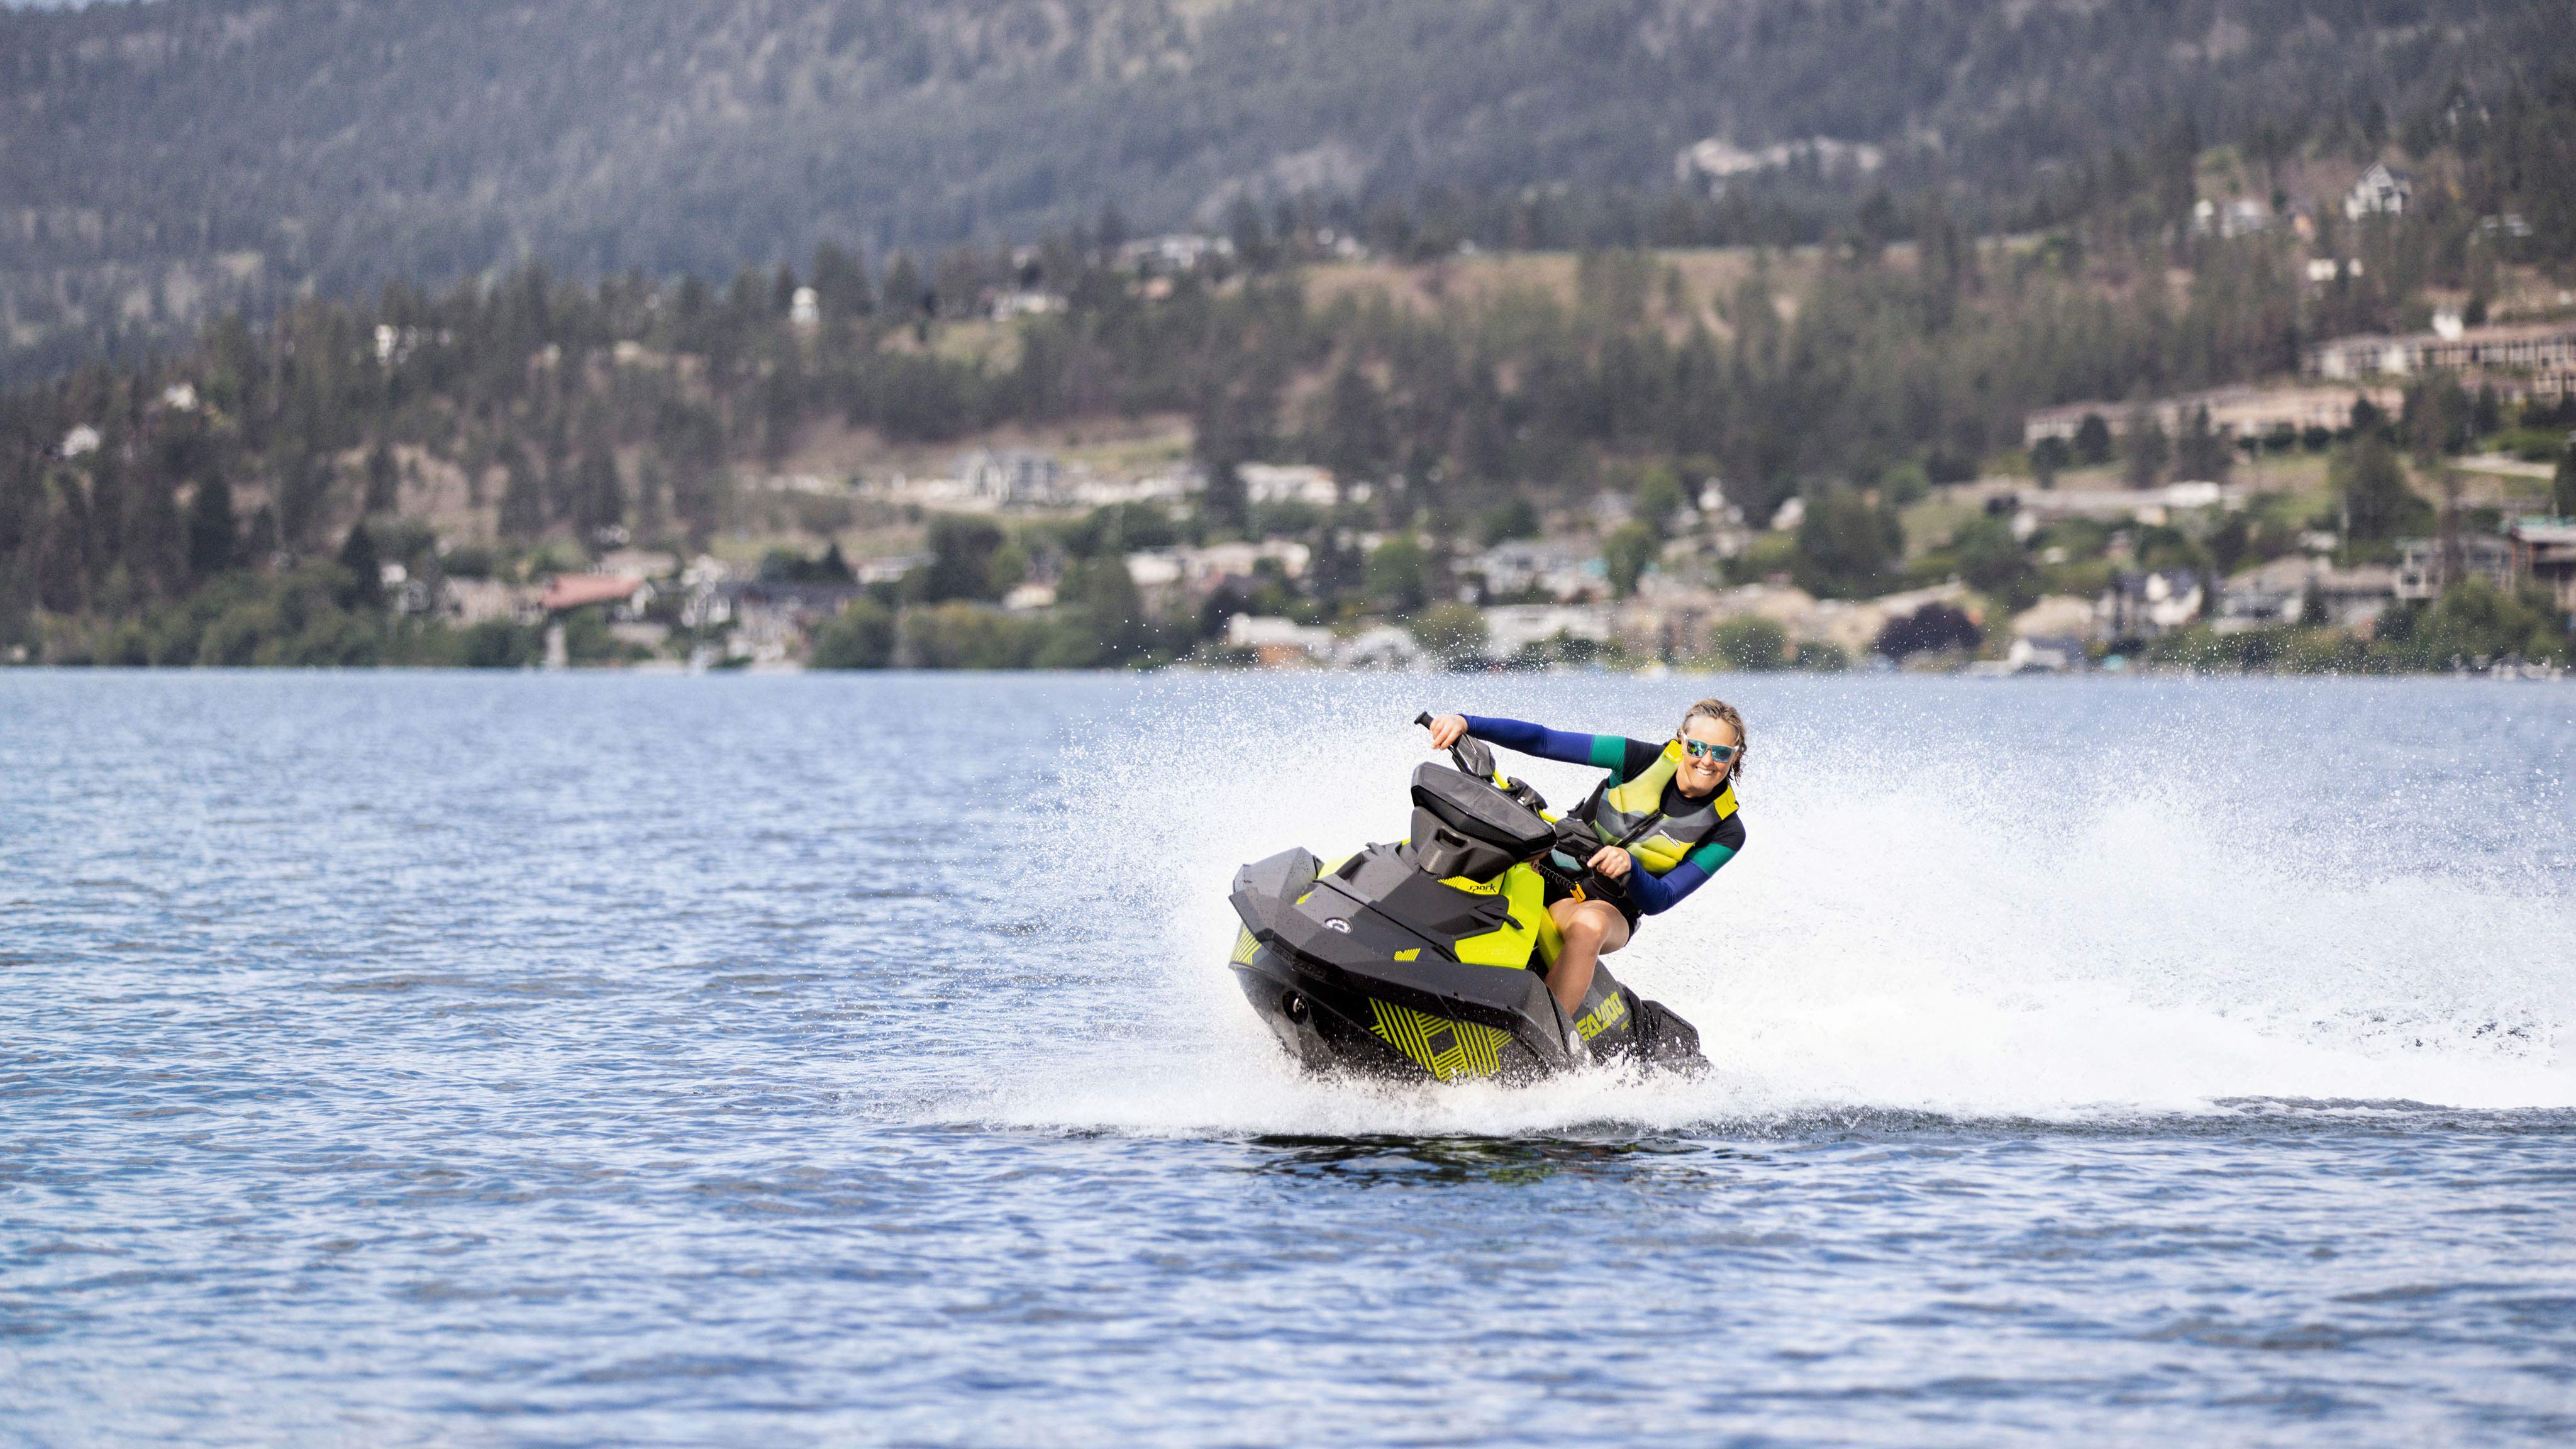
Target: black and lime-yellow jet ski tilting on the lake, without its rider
x: 1428, y: 958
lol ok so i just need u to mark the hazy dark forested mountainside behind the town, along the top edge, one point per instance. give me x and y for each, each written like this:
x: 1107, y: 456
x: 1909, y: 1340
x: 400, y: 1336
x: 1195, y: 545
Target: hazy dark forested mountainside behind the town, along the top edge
x: 171, y: 161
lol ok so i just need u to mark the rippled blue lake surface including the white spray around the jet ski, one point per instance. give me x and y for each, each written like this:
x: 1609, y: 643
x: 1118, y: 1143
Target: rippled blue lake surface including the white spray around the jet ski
x: 851, y: 1061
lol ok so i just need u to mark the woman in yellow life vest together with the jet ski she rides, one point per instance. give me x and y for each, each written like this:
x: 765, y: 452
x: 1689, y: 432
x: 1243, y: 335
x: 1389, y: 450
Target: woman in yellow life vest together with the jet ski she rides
x: 1472, y: 950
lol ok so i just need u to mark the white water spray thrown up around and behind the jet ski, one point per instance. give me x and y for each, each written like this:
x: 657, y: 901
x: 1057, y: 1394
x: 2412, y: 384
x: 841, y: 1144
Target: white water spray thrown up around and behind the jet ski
x: 1933, y: 914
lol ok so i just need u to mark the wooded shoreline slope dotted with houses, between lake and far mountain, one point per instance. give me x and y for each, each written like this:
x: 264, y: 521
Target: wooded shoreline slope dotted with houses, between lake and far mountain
x: 1284, y: 450
